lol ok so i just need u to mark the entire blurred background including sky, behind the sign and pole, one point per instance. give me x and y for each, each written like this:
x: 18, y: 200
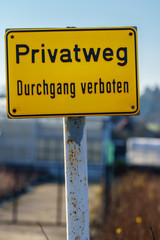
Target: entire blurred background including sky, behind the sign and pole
x: 123, y: 152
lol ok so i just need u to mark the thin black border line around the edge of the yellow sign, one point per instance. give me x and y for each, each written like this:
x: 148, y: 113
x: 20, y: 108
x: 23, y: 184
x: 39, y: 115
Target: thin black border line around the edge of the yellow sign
x: 72, y: 114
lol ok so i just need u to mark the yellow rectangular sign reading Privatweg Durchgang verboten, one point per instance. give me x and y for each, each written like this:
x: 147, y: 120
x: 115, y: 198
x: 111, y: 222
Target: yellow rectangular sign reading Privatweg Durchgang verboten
x: 72, y: 72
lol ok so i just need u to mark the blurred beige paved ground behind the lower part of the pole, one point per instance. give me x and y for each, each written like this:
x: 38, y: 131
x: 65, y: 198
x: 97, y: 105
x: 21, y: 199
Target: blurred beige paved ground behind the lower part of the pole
x: 44, y: 204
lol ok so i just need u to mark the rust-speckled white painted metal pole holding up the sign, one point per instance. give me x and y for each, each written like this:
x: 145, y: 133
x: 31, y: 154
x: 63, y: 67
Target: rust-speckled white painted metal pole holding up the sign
x: 76, y: 178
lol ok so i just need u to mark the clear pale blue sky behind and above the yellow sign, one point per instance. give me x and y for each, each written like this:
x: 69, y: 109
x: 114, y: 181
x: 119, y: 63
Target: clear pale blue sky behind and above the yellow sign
x: 90, y: 13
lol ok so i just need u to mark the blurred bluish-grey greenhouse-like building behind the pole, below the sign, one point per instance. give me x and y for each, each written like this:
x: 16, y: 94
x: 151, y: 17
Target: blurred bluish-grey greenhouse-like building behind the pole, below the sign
x: 39, y: 142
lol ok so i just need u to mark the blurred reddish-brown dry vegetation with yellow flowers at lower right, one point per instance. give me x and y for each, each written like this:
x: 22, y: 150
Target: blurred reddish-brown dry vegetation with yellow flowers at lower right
x: 134, y: 211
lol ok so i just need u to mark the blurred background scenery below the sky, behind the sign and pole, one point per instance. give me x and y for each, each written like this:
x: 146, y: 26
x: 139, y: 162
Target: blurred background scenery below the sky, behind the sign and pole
x: 123, y: 170
